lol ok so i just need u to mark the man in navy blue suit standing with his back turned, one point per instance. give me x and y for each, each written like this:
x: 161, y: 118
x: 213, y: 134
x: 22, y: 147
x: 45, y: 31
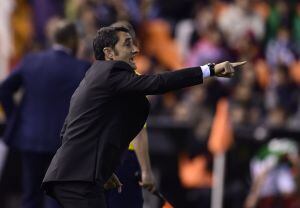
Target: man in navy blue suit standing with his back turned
x: 48, y: 79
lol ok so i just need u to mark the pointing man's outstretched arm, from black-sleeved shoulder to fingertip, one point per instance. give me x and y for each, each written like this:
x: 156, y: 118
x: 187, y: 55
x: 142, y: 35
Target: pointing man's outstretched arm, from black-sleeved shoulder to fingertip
x: 124, y: 80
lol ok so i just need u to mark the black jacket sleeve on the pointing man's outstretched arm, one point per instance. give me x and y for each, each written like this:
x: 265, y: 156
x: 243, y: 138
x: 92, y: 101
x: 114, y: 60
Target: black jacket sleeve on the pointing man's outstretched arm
x: 126, y: 81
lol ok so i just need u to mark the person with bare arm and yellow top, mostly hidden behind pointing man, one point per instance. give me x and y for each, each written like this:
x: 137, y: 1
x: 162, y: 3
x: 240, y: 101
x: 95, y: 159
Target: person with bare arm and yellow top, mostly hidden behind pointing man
x: 134, y: 160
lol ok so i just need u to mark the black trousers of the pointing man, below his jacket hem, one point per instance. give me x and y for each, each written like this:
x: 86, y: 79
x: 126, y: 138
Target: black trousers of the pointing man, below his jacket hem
x: 77, y: 194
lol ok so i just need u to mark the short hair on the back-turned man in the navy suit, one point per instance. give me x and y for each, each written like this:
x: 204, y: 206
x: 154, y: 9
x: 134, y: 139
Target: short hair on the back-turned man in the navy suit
x: 64, y: 31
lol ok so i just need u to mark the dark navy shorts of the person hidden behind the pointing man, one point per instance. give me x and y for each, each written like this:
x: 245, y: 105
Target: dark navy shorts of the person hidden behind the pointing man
x: 131, y: 195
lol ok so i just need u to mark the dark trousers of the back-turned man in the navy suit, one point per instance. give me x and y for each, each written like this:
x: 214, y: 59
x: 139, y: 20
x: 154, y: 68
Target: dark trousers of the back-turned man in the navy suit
x: 34, y: 167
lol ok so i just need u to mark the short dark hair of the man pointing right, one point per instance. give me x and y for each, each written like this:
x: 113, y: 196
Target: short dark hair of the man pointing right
x: 106, y: 37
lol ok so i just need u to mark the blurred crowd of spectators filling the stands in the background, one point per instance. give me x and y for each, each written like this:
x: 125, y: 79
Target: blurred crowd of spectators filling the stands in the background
x: 263, y: 98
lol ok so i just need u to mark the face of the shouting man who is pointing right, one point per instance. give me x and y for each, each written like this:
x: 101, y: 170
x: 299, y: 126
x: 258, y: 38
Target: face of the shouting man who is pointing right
x: 125, y: 49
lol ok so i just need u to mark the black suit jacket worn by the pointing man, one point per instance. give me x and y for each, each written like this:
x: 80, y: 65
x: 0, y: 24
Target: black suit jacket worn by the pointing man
x: 107, y: 111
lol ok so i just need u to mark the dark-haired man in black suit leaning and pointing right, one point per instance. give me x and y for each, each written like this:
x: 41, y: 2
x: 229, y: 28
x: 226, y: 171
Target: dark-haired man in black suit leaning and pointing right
x: 107, y: 111
